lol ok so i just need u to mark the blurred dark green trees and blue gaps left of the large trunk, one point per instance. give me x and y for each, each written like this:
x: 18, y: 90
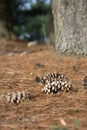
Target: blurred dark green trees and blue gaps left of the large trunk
x: 27, y: 20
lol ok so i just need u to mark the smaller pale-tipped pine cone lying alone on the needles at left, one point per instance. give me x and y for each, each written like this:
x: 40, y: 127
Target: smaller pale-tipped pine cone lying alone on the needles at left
x: 16, y: 97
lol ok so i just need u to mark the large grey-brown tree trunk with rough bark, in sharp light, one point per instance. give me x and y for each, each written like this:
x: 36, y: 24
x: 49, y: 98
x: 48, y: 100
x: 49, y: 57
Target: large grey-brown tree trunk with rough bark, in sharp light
x: 70, y: 26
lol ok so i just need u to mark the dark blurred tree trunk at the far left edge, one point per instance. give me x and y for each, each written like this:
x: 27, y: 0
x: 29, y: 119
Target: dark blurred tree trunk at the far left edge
x: 5, y: 19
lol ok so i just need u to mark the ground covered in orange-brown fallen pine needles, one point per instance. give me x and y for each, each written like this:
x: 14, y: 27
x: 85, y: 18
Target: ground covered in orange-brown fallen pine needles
x: 18, y: 69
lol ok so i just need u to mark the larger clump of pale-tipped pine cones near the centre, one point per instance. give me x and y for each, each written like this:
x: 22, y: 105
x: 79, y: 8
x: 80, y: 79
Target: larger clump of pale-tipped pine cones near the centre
x: 54, y: 83
